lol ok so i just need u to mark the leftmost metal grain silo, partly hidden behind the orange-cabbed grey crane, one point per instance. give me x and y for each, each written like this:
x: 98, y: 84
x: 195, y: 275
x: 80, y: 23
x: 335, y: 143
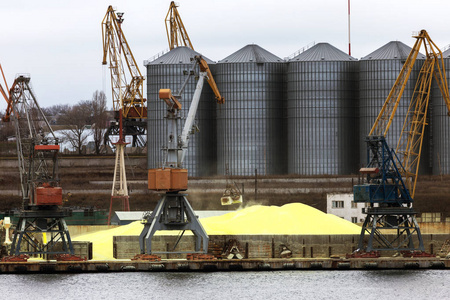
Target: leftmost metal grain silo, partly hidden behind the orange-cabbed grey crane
x: 169, y: 71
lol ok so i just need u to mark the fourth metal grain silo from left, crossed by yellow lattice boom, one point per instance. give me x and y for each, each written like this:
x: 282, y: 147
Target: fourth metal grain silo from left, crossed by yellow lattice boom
x: 378, y: 72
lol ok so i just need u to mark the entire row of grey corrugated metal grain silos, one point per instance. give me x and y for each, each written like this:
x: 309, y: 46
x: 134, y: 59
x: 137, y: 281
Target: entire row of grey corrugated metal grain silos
x: 308, y: 115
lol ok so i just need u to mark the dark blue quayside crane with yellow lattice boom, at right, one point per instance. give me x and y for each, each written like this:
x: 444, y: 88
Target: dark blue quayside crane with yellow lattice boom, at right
x: 392, y: 175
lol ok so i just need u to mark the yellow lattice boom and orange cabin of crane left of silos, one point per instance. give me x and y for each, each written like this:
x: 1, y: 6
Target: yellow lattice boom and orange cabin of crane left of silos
x: 128, y: 97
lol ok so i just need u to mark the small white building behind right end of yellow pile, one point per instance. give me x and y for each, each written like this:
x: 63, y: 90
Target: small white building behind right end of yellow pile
x: 342, y: 205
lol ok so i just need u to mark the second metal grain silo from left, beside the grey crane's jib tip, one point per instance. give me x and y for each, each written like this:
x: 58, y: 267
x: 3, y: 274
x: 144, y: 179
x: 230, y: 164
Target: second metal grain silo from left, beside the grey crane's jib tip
x: 250, y: 133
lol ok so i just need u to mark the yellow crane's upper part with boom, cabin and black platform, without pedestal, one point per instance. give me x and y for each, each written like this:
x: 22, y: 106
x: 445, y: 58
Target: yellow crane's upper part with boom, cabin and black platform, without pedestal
x: 127, y: 94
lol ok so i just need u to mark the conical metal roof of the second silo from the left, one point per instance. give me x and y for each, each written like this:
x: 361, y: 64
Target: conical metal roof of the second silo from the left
x: 251, y: 53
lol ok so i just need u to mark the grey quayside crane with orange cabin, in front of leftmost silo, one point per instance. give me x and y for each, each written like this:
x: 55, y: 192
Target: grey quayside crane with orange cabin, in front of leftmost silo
x: 173, y: 211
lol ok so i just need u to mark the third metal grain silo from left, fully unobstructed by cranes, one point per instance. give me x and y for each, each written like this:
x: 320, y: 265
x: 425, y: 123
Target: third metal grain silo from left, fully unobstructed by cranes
x: 322, y: 101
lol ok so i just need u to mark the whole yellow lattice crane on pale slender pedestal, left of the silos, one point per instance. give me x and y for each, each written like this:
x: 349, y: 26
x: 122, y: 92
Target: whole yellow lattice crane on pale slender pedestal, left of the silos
x: 128, y: 100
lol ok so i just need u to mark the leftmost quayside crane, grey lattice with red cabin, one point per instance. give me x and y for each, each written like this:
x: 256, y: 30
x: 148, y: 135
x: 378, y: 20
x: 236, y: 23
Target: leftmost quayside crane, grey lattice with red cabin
x: 42, y: 215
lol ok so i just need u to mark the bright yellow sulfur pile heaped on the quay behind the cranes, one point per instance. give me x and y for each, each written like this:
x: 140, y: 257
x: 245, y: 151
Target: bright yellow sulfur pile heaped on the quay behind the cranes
x: 294, y: 218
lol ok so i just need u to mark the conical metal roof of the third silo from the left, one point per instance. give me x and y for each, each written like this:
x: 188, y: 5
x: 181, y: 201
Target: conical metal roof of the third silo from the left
x: 323, y: 52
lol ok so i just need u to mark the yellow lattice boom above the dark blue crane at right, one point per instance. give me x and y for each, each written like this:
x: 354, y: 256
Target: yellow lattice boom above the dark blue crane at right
x: 409, y: 146
